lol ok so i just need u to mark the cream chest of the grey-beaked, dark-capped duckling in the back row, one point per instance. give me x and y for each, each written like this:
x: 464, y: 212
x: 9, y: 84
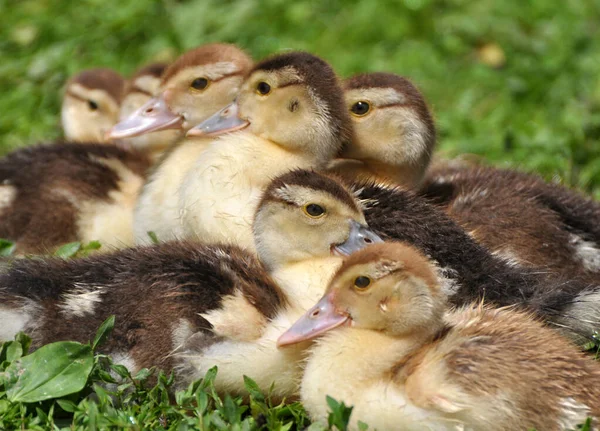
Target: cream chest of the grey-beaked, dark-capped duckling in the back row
x: 219, y: 195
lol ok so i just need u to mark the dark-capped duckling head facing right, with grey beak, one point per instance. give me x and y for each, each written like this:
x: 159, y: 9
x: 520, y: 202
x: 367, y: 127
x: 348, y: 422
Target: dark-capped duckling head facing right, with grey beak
x: 305, y: 215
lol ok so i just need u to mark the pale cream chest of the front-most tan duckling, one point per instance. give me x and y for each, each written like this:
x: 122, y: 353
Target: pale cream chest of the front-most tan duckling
x: 355, y: 371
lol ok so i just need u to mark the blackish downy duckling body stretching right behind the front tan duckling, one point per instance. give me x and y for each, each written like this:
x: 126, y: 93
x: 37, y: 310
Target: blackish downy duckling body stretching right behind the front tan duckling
x: 472, y: 272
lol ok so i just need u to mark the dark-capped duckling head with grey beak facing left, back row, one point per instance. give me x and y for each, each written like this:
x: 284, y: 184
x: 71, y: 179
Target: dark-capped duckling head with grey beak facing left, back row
x: 293, y: 100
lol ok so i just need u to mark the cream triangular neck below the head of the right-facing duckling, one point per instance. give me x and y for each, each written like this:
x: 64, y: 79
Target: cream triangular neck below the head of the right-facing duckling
x: 304, y: 282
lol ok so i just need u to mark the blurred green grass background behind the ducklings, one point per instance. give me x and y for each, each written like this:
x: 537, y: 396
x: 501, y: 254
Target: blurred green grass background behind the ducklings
x: 517, y: 82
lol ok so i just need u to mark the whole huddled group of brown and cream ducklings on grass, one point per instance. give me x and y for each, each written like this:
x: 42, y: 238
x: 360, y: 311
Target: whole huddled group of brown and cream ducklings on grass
x: 304, y: 241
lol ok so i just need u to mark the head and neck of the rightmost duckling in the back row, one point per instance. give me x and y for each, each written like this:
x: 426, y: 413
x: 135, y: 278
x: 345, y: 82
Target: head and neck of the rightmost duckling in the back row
x: 395, y: 132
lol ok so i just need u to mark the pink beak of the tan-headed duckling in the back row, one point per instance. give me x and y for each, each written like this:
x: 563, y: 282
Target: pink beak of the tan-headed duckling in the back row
x: 153, y: 116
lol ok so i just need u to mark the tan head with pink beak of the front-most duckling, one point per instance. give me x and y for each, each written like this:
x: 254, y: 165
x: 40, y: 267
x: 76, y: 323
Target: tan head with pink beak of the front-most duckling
x: 388, y: 287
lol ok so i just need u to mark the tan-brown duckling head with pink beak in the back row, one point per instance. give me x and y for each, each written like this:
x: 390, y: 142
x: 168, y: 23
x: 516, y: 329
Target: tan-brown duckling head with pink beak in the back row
x: 195, y: 86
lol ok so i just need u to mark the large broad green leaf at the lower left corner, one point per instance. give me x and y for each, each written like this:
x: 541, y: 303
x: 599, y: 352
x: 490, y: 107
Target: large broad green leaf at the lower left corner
x: 52, y: 371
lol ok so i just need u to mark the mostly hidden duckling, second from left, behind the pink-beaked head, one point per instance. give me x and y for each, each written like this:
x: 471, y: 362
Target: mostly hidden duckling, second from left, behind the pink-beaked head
x: 140, y: 89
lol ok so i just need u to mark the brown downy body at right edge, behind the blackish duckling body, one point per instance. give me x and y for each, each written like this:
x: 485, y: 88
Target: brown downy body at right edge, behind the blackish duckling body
x: 521, y: 218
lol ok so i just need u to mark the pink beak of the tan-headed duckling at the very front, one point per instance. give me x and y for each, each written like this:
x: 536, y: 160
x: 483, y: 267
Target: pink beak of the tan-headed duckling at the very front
x: 318, y: 320
